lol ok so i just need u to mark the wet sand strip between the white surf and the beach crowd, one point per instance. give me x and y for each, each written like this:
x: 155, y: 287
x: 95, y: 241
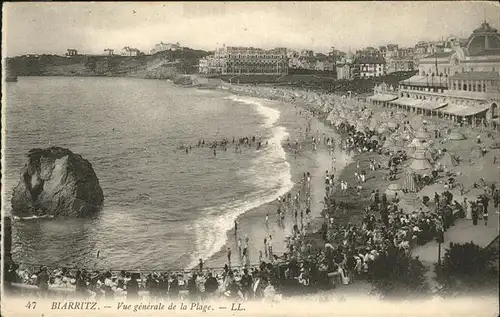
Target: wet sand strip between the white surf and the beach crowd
x: 315, y: 162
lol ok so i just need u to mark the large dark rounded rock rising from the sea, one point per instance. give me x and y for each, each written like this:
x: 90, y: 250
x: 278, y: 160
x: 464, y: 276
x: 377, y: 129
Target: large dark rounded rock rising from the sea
x: 55, y: 181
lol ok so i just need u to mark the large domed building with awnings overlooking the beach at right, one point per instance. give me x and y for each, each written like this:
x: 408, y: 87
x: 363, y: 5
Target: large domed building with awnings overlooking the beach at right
x: 462, y: 85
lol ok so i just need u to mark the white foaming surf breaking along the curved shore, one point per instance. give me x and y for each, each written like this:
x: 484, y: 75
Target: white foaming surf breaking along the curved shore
x: 269, y: 172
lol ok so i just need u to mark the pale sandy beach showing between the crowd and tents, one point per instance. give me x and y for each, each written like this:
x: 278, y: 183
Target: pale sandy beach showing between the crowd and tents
x: 473, y: 166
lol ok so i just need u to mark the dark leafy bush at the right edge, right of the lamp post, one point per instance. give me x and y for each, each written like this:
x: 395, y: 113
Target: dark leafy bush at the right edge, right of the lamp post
x: 467, y: 268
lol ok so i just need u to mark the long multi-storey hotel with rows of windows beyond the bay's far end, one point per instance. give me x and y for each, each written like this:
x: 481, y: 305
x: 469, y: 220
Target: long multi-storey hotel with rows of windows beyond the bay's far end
x: 230, y: 60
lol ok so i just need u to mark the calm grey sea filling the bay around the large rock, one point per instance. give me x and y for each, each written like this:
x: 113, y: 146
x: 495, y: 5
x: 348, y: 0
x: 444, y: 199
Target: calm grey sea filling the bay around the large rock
x: 164, y: 209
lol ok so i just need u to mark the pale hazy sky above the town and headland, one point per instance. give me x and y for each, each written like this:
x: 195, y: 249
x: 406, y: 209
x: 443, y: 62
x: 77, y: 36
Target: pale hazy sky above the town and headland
x: 51, y: 28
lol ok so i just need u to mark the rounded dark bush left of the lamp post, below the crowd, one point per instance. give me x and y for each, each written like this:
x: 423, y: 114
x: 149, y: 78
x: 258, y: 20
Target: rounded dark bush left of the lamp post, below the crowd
x: 396, y: 275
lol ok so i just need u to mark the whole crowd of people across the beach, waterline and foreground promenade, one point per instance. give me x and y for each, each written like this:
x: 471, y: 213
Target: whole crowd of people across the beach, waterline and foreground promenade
x: 347, y: 252
